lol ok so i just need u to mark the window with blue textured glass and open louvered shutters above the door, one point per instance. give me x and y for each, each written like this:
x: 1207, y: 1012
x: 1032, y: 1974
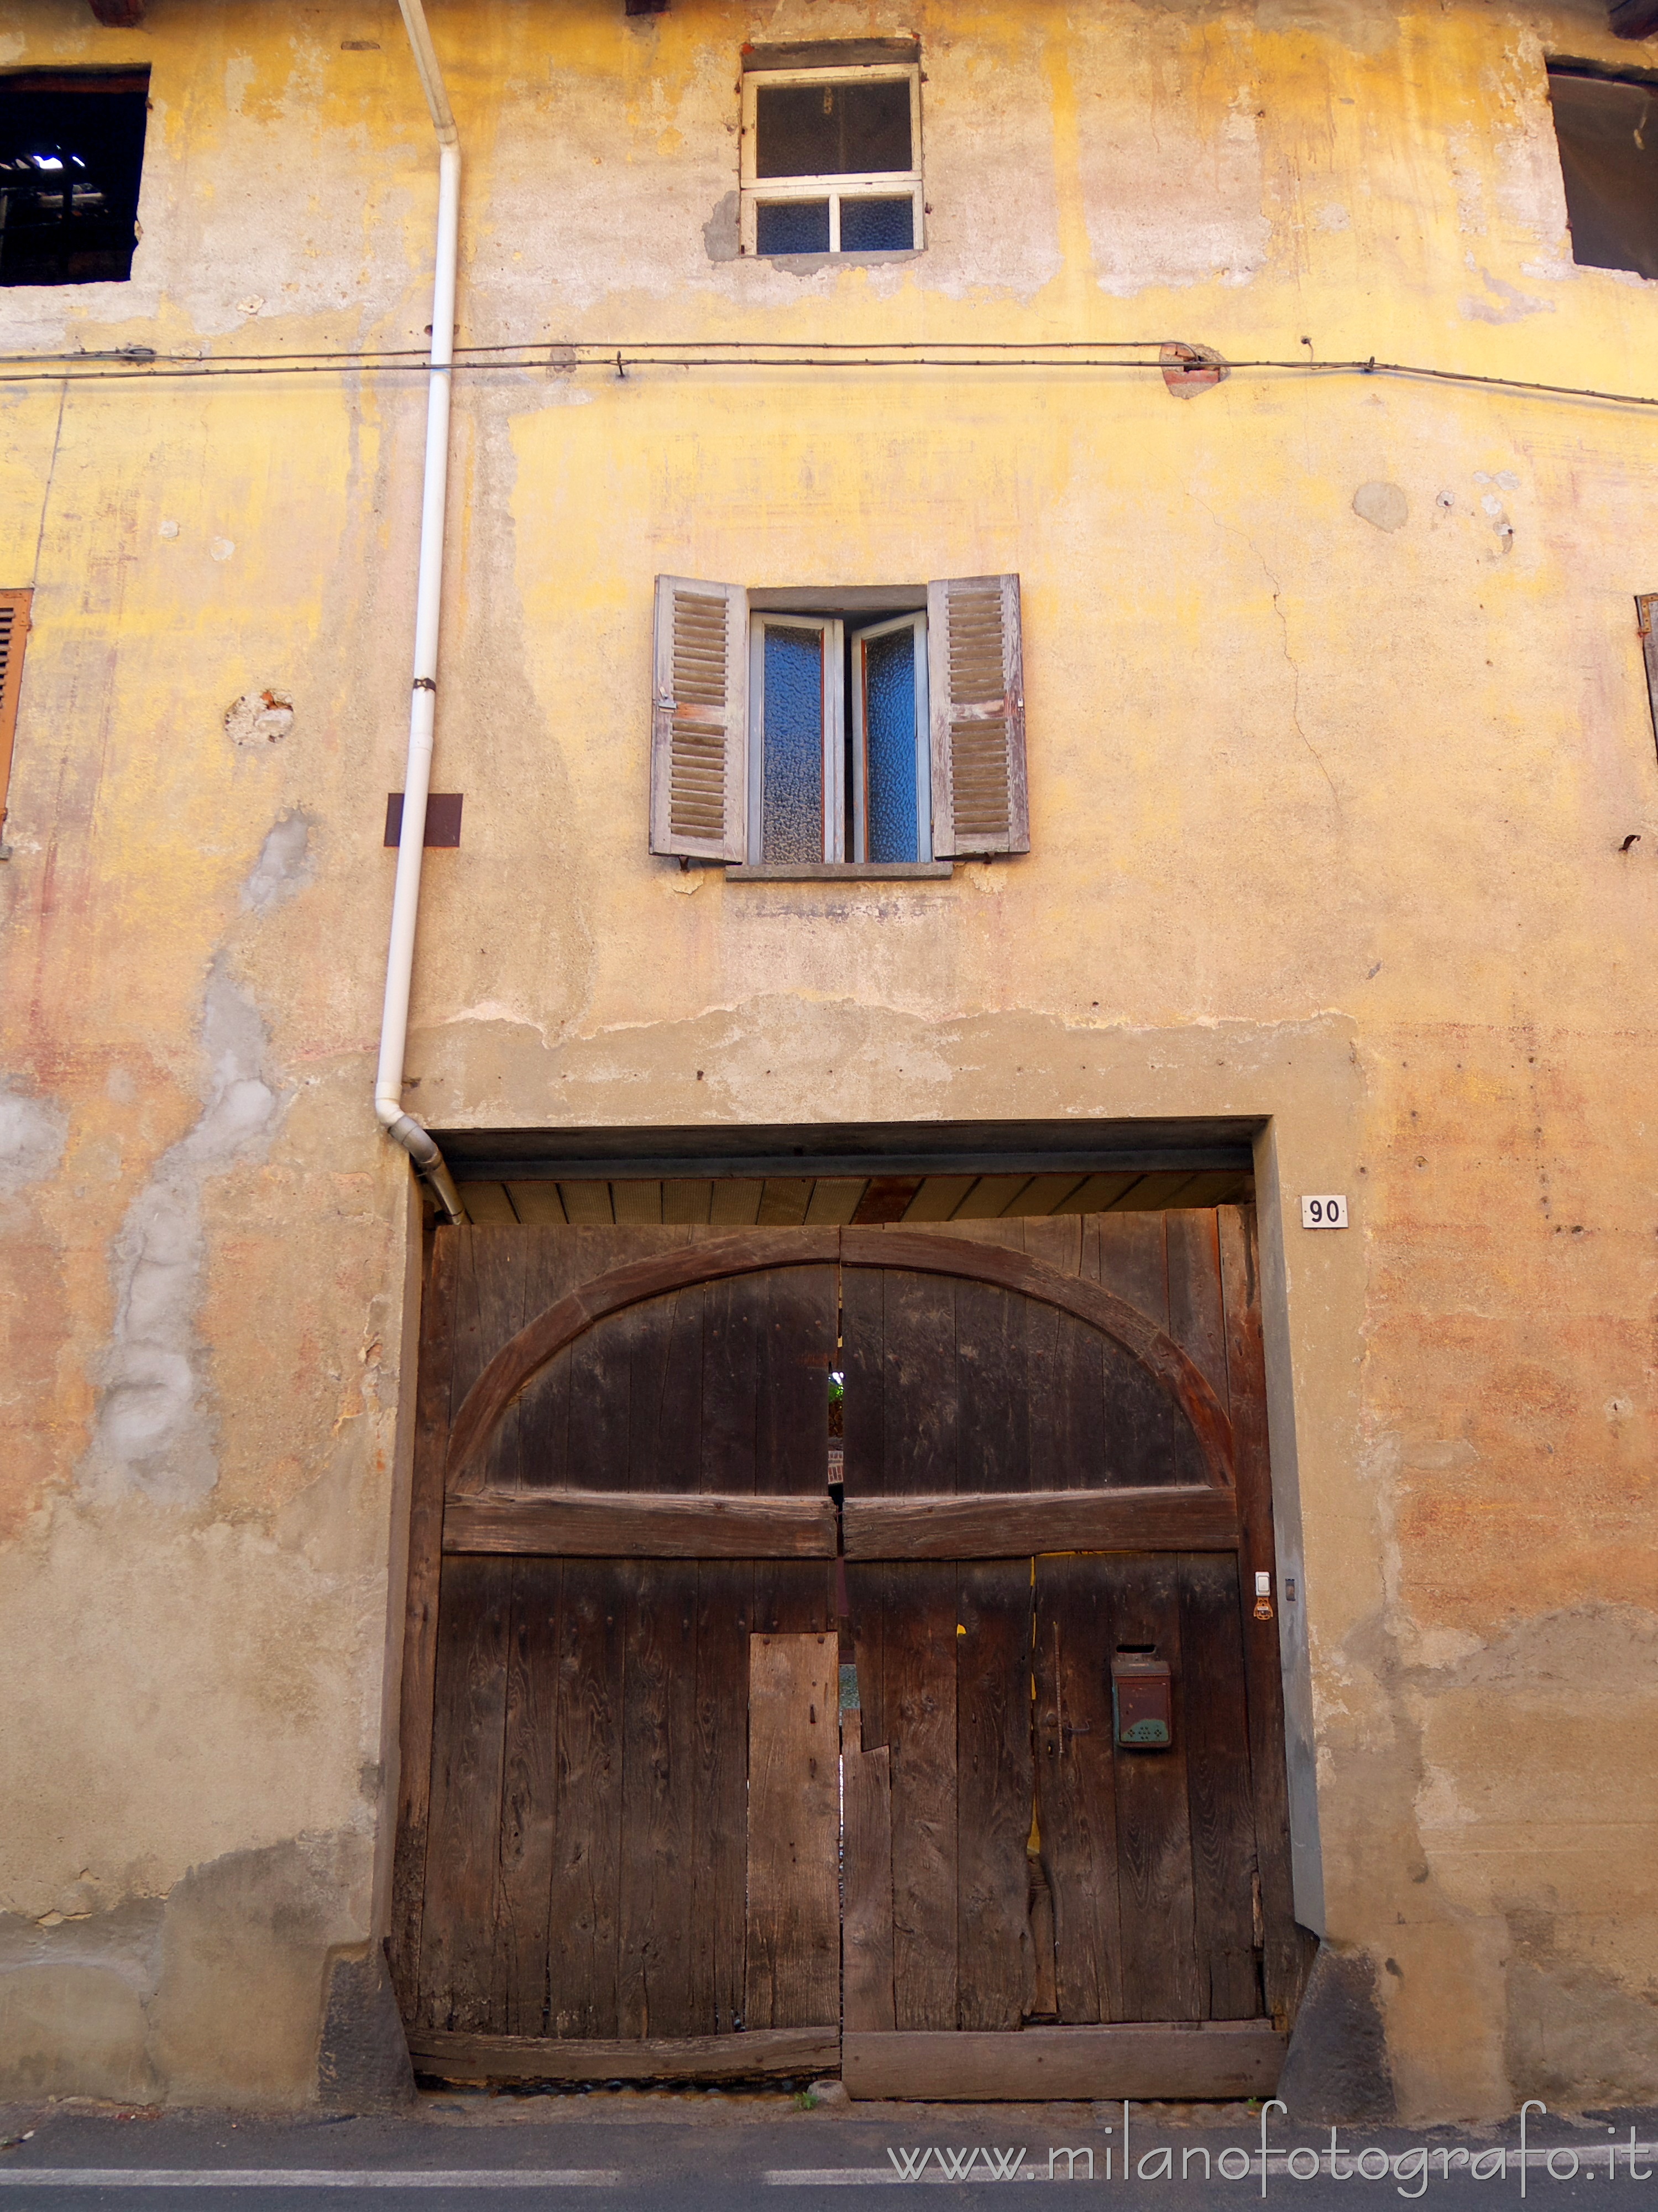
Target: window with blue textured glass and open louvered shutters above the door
x: 881, y: 727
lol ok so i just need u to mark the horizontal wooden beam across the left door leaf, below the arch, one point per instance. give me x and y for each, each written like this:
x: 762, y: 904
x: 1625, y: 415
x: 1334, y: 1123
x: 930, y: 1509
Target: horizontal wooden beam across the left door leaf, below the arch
x: 638, y: 1525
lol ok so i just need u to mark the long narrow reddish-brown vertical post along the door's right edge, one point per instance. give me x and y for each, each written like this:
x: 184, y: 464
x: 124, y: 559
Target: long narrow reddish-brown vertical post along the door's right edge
x: 1286, y: 1954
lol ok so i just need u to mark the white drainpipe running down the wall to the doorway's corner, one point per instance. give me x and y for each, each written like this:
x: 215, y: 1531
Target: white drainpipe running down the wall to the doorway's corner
x: 430, y: 594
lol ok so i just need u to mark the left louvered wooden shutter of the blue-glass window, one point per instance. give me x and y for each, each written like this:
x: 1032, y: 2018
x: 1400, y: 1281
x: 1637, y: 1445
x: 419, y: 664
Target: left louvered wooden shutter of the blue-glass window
x: 700, y: 738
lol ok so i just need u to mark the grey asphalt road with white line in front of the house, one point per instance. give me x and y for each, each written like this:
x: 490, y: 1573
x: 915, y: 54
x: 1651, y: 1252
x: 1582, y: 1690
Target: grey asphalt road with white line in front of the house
x: 485, y: 2156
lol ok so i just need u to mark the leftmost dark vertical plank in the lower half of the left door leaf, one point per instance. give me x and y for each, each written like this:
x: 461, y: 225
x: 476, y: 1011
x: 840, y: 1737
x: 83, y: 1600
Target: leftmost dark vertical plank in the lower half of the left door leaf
x: 457, y: 1954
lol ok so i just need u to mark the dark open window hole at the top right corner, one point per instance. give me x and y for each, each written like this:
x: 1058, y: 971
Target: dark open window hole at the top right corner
x: 1608, y: 132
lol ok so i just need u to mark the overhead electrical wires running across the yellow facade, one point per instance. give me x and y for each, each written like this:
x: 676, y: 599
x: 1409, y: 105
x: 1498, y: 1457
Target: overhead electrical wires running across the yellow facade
x: 569, y: 357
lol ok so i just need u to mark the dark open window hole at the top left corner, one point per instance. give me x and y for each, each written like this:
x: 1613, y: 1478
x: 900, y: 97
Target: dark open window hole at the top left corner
x: 72, y: 154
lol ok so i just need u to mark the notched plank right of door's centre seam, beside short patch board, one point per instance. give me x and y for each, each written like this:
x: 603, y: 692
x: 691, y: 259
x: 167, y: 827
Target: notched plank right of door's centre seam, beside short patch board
x: 907, y: 1684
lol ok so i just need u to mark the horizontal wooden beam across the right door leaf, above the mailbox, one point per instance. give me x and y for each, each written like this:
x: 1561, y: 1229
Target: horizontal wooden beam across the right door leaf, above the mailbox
x: 1011, y: 1525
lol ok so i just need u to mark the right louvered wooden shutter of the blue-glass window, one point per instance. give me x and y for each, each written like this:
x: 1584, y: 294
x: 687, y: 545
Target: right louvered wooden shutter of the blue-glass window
x: 978, y: 705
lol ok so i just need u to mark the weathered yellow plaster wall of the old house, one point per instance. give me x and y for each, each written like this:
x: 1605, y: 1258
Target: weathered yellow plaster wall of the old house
x: 1325, y: 828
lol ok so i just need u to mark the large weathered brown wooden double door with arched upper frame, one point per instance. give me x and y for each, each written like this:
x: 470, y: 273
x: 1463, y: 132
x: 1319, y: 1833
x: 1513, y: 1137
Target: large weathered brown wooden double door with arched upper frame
x: 733, y: 1746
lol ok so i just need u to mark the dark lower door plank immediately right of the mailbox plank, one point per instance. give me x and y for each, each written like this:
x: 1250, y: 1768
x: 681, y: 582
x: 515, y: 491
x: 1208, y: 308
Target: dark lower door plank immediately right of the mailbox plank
x: 1219, y: 1786
